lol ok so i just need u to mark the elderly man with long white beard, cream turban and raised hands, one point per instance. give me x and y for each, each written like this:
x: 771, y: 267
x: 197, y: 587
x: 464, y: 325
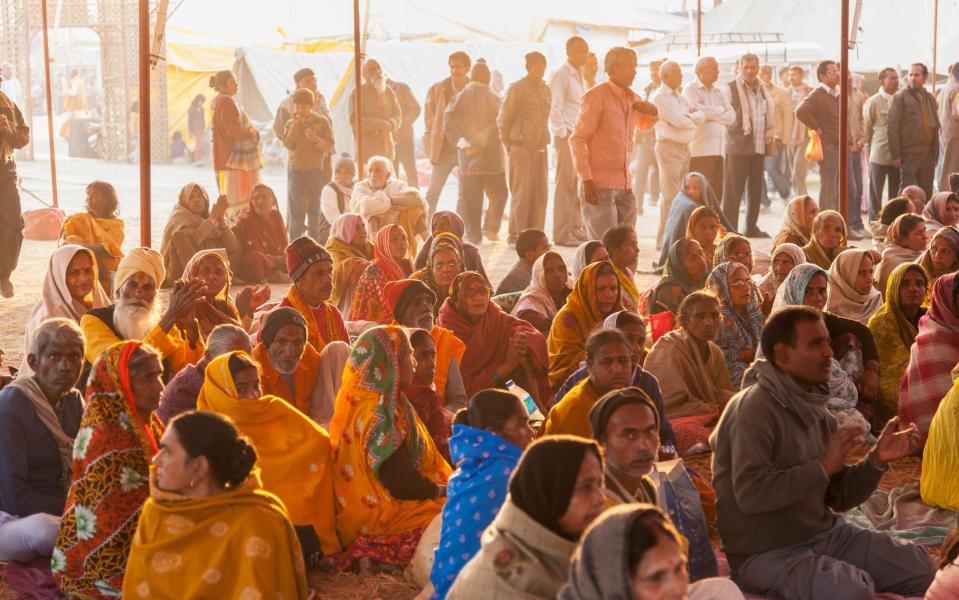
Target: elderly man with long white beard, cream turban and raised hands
x: 137, y: 314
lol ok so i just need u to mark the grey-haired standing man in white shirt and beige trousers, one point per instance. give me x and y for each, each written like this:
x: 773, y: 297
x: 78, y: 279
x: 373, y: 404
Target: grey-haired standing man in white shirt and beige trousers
x: 678, y: 120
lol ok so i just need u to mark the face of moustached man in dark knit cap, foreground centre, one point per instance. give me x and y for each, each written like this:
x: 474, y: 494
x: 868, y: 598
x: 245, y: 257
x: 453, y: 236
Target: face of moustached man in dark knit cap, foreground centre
x: 631, y: 440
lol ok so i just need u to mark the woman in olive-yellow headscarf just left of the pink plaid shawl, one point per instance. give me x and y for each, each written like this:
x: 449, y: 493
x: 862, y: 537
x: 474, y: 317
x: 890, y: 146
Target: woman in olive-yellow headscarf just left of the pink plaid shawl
x: 894, y: 327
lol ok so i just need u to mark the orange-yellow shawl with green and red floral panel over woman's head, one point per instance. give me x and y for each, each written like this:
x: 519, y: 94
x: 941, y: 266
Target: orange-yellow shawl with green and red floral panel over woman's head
x: 371, y: 419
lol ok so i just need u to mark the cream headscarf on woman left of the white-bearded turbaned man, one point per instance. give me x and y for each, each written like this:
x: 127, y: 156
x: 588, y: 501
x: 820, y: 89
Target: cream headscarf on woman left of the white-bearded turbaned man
x: 55, y: 299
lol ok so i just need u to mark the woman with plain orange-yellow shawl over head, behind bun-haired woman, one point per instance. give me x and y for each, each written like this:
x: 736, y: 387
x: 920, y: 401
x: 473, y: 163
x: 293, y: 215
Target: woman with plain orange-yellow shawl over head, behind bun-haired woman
x: 294, y: 452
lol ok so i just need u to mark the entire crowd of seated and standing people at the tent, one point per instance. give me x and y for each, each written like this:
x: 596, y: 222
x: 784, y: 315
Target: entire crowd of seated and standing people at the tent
x: 396, y: 408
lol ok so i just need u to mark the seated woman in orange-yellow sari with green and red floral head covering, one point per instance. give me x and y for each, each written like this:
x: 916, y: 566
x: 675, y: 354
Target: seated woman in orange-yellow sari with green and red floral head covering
x: 389, y: 478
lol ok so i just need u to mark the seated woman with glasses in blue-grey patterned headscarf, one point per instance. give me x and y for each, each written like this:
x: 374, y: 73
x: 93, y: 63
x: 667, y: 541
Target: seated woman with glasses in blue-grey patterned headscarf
x: 742, y: 317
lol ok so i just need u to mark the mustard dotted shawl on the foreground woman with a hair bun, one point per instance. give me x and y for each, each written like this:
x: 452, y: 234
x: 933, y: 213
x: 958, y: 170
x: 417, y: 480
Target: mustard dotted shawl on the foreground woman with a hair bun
x: 238, y: 544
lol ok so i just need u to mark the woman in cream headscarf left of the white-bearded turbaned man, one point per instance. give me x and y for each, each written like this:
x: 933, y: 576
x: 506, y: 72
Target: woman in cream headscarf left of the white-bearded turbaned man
x: 70, y: 288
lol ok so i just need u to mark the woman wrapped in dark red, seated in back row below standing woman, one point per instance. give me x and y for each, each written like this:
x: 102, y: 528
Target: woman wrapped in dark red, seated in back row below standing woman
x: 263, y: 238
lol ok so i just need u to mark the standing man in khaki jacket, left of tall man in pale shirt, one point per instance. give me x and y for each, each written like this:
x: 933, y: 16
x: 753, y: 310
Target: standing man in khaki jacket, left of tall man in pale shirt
x: 524, y: 128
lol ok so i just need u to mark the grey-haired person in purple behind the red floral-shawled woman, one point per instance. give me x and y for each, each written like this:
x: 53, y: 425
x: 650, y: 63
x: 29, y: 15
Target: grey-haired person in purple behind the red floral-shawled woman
x: 180, y: 394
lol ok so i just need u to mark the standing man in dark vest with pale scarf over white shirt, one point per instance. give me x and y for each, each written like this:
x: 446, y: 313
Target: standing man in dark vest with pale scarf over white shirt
x: 748, y: 137
